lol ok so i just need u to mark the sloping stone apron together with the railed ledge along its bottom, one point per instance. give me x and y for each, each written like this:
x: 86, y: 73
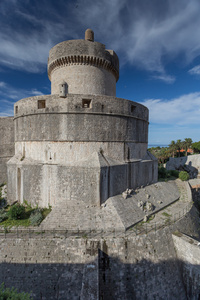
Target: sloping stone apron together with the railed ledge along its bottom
x: 171, y: 200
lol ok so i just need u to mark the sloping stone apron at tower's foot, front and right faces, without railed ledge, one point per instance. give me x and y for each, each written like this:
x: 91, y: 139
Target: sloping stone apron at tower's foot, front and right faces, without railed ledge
x: 119, y: 214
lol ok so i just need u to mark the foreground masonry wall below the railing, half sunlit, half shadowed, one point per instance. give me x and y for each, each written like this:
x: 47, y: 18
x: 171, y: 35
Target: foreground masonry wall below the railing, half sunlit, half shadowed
x: 137, y: 267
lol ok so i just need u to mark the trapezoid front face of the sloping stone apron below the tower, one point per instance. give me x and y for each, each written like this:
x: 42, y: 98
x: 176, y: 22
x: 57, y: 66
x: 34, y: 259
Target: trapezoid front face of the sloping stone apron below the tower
x: 76, y: 215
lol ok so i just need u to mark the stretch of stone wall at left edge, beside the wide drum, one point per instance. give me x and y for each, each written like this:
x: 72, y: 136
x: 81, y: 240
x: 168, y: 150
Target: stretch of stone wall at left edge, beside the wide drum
x: 6, y: 145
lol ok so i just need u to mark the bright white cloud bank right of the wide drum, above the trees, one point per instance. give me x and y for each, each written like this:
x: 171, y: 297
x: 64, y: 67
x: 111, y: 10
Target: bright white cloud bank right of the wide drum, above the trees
x: 183, y: 110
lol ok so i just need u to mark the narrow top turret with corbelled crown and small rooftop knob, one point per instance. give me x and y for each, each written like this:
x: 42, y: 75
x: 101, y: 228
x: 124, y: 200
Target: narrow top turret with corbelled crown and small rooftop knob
x: 84, y: 66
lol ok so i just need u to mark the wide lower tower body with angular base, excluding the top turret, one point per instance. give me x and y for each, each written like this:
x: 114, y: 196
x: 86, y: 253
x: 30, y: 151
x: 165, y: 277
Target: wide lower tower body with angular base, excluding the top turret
x: 87, y: 146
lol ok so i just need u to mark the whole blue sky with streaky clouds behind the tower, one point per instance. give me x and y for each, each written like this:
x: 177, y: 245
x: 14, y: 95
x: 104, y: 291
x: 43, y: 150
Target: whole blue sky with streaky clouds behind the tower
x: 157, y: 41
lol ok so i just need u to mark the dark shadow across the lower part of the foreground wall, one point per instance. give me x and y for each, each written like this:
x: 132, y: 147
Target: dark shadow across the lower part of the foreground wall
x: 104, y: 278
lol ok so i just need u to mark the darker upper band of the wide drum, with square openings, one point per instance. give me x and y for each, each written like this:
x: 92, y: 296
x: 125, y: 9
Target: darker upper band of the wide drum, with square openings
x: 68, y: 120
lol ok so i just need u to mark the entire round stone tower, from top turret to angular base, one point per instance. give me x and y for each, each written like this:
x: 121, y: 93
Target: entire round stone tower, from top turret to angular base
x: 80, y: 143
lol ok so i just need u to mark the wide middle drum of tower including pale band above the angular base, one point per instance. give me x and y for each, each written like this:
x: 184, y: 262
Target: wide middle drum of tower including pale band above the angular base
x: 112, y: 124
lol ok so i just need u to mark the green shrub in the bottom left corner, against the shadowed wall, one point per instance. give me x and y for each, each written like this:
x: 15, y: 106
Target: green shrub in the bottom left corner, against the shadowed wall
x: 12, y: 294
